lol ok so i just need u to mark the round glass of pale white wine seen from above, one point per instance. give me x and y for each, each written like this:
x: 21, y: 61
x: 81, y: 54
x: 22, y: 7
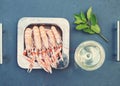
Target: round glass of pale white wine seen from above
x: 89, y: 55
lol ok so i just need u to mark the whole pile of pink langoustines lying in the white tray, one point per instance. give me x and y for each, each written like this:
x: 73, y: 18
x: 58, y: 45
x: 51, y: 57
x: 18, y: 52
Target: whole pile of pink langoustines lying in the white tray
x: 43, y: 46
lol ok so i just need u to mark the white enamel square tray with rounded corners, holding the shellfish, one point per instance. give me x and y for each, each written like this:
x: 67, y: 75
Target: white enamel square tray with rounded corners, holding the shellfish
x: 25, y: 21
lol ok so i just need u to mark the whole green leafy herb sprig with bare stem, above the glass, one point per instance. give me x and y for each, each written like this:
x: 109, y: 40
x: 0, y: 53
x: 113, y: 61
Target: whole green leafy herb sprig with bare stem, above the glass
x: 88, y: 23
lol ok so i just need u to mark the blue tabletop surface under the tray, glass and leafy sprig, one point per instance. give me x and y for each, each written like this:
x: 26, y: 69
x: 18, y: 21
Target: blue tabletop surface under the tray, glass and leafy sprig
x: 107, y: 11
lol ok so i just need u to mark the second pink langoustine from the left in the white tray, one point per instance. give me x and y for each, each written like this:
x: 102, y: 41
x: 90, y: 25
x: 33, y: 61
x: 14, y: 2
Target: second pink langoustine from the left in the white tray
x: 38, y: 48
